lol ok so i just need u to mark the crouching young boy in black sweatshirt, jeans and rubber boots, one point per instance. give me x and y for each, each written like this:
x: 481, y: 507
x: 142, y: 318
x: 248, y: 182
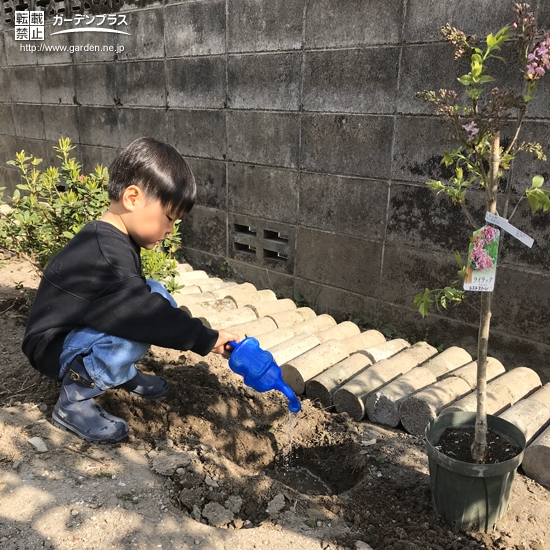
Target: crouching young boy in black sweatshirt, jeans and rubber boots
x: 94, y: 315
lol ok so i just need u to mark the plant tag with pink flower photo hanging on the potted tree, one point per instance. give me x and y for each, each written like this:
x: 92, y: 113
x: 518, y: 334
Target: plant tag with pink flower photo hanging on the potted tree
x: 482, y: 260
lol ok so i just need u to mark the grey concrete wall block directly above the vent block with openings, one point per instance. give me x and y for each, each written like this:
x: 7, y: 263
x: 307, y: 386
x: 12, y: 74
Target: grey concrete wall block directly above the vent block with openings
x: 263, y: 192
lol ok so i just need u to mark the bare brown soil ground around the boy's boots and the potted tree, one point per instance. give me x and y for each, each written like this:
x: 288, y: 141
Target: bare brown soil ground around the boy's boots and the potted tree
x: 217, y: 466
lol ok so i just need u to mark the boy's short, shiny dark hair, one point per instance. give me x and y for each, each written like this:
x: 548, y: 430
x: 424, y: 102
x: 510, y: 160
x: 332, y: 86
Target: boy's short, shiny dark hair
x: 158, y: 170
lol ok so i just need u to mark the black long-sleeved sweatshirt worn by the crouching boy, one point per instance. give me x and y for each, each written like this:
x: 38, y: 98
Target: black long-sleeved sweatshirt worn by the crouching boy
x: 95, y: 281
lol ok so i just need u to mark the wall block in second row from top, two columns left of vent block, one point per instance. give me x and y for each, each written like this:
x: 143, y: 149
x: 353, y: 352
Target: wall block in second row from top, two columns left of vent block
x: 141, y: 83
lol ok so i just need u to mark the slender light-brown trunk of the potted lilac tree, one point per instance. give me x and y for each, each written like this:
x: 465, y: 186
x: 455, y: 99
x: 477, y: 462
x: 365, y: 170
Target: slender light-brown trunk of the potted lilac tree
x: 479, y: 446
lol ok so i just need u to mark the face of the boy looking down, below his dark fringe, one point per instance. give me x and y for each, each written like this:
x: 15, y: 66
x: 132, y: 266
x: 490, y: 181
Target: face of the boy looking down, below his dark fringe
x: 150, y: 223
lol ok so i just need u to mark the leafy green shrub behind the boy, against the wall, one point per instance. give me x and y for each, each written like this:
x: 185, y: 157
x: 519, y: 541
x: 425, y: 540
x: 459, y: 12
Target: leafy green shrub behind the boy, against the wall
x: 51, y: 206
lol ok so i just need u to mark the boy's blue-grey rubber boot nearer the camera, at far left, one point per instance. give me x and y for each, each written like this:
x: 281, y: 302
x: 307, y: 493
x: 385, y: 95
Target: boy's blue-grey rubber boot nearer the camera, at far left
x: 76, y: 410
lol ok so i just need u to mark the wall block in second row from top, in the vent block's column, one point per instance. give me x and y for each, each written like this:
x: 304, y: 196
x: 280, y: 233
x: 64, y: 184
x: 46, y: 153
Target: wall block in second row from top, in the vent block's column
x: 251, y: 81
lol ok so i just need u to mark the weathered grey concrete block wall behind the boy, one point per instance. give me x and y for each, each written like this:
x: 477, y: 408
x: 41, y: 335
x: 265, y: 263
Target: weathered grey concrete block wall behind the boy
x: 299, y: 120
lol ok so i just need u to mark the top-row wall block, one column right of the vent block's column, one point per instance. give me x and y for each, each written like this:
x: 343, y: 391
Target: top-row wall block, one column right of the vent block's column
x: 353, y: 23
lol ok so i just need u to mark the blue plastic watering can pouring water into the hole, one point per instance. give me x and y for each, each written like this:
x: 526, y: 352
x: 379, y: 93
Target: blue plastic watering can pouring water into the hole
x: 260, y: 371
